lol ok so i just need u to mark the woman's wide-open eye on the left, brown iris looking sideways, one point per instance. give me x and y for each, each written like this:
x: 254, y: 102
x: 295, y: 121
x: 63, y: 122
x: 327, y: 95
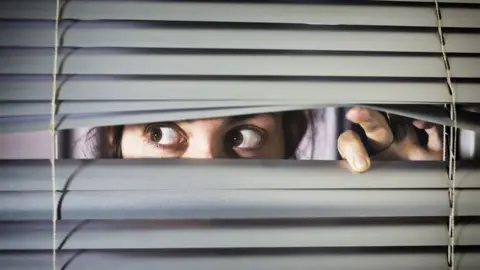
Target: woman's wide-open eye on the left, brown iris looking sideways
x: 165, y: 135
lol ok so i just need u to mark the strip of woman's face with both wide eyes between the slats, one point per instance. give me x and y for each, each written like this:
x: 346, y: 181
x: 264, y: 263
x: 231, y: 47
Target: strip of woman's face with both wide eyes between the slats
x: 247, y: 136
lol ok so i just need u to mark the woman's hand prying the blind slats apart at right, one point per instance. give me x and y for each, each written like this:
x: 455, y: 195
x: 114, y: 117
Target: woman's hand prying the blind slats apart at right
x: 381, y: 140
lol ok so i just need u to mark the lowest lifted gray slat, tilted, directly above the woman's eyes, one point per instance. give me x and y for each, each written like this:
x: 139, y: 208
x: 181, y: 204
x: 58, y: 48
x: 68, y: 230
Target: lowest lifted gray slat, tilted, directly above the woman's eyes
x: 466, y: 120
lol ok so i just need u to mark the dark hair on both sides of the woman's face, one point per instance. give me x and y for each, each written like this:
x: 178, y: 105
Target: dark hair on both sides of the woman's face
x: 107, y: 140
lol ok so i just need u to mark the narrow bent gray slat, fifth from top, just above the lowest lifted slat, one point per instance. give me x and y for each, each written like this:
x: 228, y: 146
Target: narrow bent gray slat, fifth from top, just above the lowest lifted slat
x: 434, y: 114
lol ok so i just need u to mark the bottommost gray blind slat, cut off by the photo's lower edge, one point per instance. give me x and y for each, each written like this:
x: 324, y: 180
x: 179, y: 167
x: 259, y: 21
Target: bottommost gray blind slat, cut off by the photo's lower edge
x: 155, y: 259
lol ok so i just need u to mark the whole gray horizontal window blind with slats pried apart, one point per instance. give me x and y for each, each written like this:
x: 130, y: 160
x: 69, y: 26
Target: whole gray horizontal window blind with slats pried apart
x: 124, y: 62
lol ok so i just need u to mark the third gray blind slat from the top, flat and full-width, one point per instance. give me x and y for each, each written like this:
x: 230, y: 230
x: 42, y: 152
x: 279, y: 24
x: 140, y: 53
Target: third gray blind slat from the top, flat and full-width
x: 127, y: 62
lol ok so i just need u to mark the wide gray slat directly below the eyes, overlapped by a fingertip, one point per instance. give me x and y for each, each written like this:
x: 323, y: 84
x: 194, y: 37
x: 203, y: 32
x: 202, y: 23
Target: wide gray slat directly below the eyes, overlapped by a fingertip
x: 77, y: 175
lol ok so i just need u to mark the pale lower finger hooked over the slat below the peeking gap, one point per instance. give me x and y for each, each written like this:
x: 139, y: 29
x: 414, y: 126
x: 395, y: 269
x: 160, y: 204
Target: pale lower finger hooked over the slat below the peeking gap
x: 351, y: 148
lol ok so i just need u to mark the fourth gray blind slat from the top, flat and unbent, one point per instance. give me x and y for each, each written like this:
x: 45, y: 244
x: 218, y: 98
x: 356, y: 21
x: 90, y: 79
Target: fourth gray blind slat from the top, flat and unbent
x: 321, y: 91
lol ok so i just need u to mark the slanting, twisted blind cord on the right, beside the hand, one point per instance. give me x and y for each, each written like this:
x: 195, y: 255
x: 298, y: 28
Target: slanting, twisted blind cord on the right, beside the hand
x: 452, y: 143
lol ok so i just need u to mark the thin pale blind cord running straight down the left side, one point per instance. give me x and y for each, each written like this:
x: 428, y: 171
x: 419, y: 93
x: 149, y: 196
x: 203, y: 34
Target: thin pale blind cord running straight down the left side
x: 52, y: 128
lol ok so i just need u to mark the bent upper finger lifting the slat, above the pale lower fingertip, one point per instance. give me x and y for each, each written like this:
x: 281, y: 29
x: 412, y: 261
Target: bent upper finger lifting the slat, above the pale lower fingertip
x: 375, y: 126
